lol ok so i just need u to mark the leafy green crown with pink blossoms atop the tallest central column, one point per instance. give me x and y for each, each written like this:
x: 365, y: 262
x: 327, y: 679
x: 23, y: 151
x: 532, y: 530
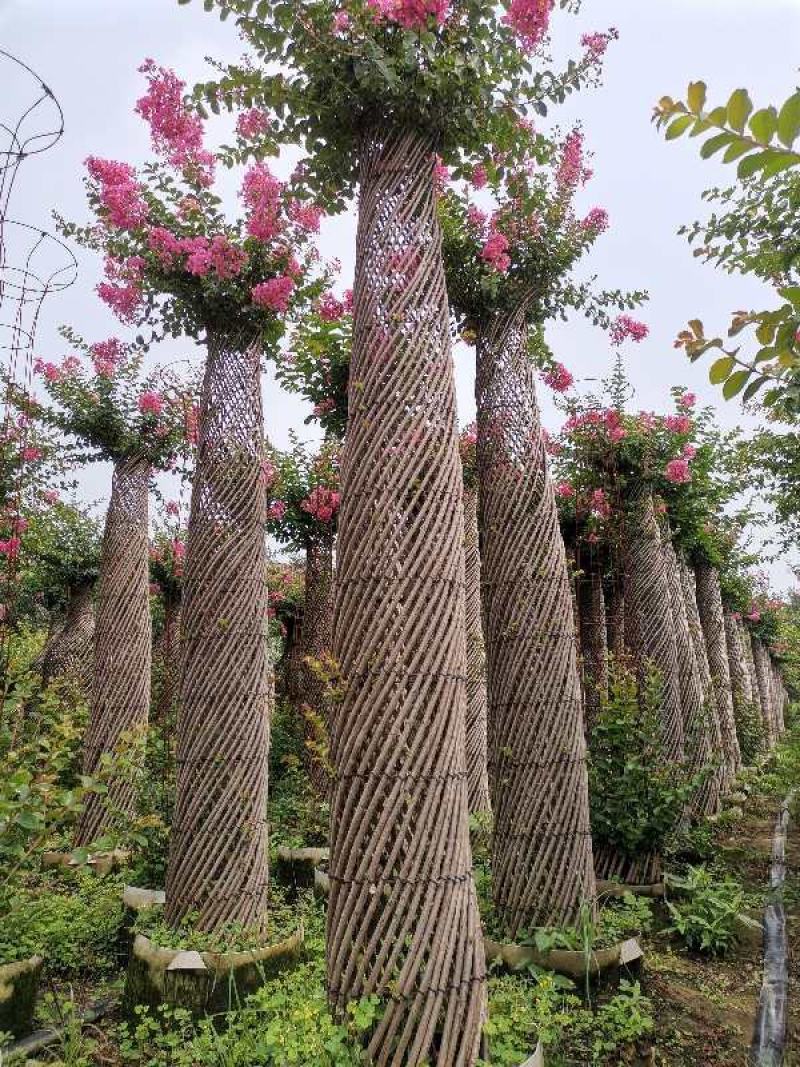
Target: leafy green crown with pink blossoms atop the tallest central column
x: 459, y: 72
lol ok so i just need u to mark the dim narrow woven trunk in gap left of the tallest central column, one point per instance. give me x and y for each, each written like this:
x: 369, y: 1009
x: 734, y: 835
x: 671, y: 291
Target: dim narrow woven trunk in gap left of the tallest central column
x: 317, y: 643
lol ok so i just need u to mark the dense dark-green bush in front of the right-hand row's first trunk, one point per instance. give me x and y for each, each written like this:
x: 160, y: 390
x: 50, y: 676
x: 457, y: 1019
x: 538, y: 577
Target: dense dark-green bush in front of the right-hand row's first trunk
x: 636, y: 799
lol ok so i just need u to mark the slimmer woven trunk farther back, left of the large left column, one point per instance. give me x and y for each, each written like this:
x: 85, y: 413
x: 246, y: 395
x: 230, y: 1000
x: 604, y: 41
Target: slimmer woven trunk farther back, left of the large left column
x: 121, y: 689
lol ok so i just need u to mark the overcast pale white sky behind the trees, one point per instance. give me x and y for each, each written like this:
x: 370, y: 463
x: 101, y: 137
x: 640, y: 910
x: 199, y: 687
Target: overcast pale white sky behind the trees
x: 89, y: 51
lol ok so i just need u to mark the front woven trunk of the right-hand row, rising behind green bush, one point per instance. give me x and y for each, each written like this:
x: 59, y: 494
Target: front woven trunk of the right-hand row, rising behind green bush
x: 649, y: 623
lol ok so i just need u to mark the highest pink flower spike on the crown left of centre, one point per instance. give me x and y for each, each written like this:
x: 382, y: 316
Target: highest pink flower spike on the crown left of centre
x: 177, y: 133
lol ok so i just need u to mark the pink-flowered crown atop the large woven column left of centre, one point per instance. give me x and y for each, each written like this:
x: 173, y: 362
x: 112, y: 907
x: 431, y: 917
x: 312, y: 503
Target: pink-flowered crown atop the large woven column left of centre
x: 173, y: 261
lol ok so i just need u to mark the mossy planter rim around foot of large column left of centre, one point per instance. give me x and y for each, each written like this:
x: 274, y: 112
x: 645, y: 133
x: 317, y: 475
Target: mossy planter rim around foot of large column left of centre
x: 205, y: 983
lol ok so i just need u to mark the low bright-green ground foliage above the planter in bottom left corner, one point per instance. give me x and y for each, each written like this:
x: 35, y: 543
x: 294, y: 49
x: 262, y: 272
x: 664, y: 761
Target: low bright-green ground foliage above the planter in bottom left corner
x: 73, y: 920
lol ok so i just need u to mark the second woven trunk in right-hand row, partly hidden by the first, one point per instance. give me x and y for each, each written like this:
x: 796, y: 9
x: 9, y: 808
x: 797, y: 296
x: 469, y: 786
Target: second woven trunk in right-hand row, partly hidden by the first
x: 698, y: 736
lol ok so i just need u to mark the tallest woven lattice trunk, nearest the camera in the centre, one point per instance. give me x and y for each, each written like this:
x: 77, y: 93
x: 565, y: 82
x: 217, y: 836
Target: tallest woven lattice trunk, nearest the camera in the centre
x: 403, y: 917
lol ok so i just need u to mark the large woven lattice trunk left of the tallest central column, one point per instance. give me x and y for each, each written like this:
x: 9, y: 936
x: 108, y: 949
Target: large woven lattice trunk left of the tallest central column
x: 217, y: 865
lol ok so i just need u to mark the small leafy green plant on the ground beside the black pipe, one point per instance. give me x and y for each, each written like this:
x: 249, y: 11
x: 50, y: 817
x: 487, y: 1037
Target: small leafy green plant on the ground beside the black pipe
x: 709, y: 912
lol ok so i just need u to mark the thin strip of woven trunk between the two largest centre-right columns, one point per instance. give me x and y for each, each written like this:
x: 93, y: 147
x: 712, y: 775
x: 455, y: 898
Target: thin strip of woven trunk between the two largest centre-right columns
x: 476, y: 722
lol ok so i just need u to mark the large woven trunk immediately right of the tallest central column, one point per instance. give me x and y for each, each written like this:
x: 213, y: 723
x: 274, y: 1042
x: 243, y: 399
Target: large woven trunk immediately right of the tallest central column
x: 542, y: 867
